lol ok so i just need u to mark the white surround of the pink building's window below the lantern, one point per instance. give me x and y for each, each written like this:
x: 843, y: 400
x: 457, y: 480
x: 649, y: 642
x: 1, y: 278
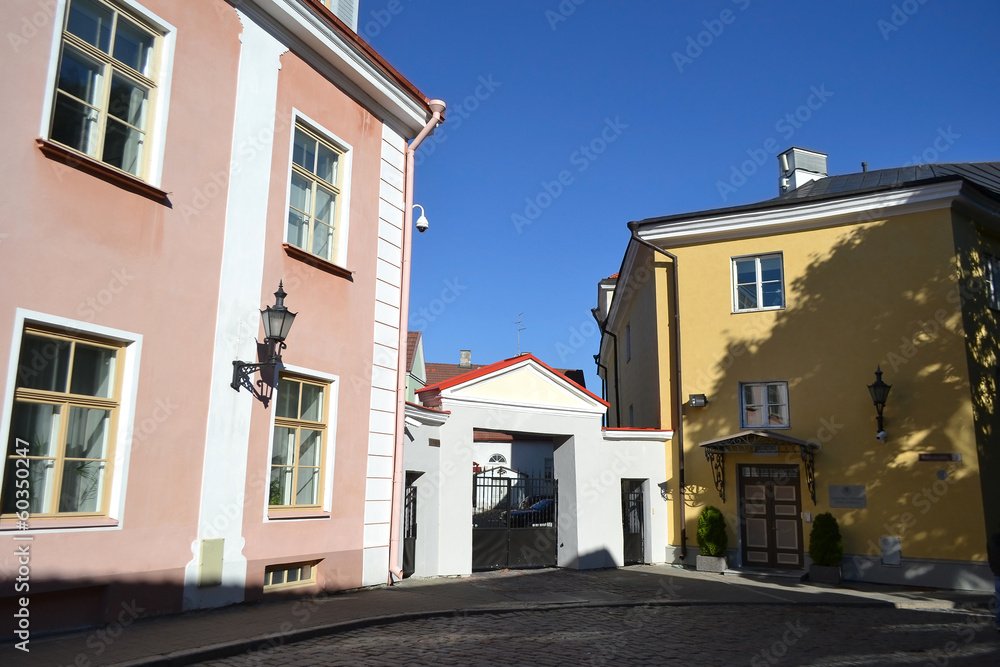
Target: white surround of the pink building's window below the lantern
x: 282, y: 514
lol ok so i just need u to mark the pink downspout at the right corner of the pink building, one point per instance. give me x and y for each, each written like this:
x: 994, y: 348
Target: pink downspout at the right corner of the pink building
x: 395, y: 570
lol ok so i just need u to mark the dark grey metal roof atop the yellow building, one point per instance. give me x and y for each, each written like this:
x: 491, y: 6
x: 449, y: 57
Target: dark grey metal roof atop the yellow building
x: 985, y: 175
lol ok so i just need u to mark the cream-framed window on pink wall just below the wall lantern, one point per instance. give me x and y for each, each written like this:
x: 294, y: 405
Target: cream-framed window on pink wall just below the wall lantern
x: 299, y: 447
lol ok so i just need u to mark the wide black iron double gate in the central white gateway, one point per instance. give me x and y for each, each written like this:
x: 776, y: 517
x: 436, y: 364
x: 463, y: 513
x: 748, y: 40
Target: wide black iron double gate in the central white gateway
x: 514, y: 520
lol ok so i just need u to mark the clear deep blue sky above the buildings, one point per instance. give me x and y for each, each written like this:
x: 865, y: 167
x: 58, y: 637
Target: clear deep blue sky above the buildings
x: 567, y: 119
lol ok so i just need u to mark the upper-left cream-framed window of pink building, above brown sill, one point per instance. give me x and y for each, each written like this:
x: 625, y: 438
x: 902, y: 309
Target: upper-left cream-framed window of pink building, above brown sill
x: 102, y: 103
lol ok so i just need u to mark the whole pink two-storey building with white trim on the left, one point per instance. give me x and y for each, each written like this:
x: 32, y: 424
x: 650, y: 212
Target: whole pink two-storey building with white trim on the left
x: 165, y: 164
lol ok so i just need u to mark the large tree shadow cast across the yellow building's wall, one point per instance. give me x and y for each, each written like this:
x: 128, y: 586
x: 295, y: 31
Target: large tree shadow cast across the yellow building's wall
x: 881, y: 295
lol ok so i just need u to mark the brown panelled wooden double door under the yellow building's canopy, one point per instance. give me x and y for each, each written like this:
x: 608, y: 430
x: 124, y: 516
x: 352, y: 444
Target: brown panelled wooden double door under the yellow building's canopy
x: 771, y: 508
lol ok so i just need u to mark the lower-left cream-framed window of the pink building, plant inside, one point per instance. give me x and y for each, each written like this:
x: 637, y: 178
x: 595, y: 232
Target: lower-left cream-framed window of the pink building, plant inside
x: 61, y: 444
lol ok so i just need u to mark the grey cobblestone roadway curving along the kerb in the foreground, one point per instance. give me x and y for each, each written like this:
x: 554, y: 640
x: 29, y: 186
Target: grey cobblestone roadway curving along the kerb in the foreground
x: 658, y: 635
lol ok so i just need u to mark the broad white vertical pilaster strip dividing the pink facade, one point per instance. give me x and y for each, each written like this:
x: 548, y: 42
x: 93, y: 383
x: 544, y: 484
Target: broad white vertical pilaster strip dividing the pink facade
x: 227, y: 432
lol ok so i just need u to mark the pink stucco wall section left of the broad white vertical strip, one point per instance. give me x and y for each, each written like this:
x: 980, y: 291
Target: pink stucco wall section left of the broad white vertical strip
x: 148, y: 268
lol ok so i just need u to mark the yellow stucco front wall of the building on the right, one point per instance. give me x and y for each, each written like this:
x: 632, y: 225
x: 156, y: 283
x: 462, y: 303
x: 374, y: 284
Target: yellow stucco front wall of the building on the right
x: 860, y: 295
